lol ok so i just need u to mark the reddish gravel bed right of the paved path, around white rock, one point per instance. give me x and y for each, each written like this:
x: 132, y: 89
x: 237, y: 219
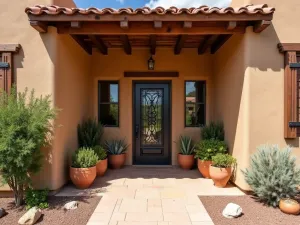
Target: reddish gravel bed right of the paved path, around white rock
x: 254, y: 213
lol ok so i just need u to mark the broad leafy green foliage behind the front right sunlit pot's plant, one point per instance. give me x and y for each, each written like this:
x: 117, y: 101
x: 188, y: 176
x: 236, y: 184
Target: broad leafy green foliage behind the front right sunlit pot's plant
x: 206, y: 149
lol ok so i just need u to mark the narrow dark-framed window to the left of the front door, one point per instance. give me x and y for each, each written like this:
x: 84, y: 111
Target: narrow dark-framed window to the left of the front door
x: 108, y: 103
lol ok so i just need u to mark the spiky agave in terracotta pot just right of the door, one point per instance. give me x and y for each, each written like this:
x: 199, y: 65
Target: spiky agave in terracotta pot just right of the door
x: 185, y: 156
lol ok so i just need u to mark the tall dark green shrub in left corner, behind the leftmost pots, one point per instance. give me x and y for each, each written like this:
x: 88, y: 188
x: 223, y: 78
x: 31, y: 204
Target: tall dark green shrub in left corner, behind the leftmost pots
x: 89, y: 133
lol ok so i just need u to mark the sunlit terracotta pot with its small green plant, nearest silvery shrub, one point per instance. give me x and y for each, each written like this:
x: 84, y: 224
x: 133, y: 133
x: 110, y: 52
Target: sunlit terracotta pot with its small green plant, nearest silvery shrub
x: 221, y: 169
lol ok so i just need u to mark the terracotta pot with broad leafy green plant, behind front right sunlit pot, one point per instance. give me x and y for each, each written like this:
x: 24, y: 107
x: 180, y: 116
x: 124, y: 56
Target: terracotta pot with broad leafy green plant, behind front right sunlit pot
x: 205, y: 150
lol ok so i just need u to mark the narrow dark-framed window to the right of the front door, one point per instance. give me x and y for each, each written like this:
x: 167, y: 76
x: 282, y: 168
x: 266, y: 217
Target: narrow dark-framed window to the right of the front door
x: 195, y: 103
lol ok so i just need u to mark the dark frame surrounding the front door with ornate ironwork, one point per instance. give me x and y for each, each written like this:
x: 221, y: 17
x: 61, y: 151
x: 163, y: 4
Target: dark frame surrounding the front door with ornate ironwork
x: 134, y: 82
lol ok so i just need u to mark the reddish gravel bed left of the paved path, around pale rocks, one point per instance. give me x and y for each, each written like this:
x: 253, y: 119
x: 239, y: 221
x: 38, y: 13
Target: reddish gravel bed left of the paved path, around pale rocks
x: 55, y: 214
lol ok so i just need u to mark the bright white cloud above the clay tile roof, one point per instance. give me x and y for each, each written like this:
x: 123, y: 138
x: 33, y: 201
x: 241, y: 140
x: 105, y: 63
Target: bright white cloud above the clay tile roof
x: 187, y: 3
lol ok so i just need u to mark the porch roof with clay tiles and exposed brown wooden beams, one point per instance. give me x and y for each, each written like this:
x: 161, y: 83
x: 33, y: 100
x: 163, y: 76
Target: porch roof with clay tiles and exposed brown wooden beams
x: 203, y: 28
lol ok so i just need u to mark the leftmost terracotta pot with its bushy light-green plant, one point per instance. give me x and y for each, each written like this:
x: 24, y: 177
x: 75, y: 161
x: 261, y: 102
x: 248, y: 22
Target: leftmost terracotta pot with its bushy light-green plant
x: 83, y: 169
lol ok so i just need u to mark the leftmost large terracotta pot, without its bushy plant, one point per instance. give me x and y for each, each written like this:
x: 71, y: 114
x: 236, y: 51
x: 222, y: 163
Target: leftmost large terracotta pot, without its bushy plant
x: 83, y: 177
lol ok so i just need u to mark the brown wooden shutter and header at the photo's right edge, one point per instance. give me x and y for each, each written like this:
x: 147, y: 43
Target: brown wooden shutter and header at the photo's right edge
x: 291, y: 89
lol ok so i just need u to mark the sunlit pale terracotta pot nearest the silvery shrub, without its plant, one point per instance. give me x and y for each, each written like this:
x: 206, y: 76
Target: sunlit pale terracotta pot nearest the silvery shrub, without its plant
x: 220, y: 176
